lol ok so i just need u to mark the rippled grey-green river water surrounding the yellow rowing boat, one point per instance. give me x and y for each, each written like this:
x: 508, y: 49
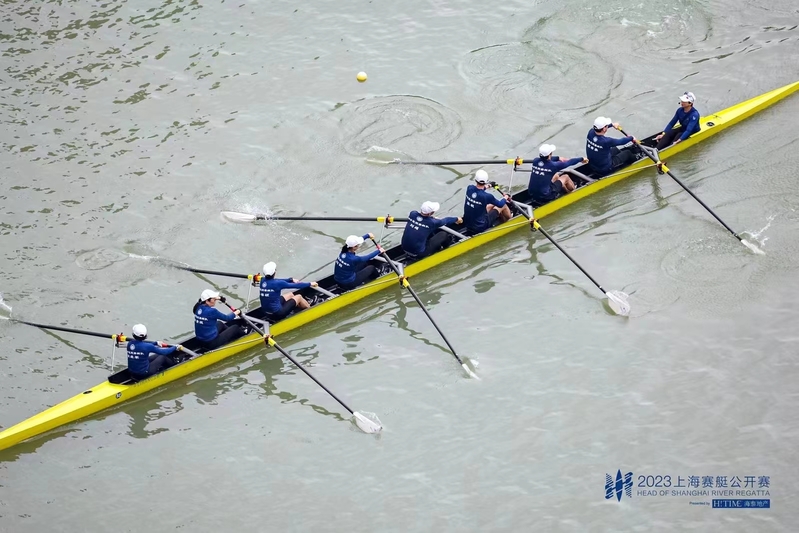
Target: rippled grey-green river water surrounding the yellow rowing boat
x: 128, y: 126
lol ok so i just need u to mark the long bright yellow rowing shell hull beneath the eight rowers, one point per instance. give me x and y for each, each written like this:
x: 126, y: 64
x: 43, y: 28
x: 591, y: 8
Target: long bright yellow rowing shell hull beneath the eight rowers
x: 107, y: 395
